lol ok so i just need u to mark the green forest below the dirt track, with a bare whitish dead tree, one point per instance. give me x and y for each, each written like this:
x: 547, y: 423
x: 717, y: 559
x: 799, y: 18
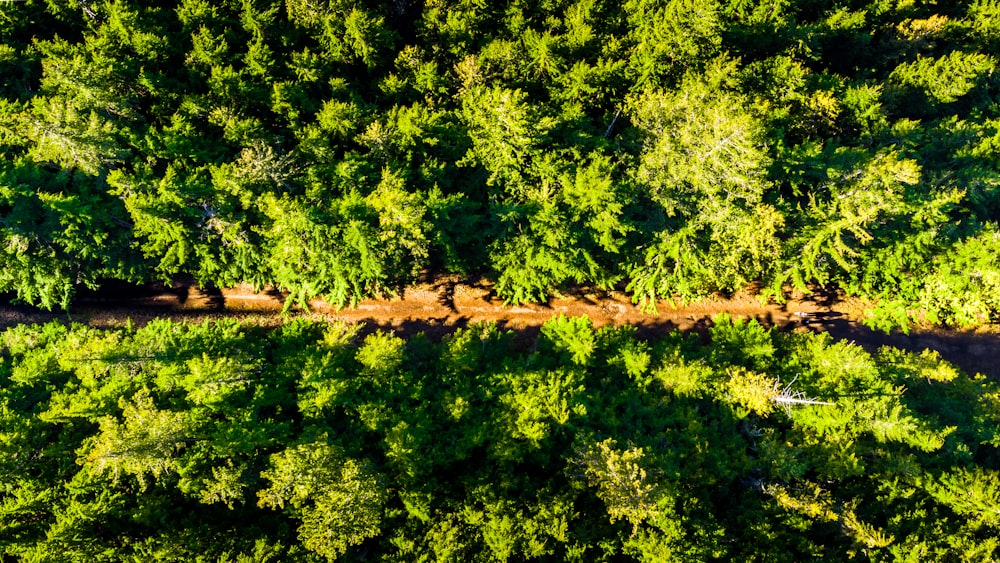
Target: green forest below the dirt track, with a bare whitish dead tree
x: 316, y: 441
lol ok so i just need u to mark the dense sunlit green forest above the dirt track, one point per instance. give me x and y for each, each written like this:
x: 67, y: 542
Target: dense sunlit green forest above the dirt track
x: 667, y: 148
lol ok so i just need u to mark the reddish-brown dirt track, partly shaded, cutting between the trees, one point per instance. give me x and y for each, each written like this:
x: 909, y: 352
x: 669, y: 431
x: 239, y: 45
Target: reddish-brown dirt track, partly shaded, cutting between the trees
x: 438, y: 307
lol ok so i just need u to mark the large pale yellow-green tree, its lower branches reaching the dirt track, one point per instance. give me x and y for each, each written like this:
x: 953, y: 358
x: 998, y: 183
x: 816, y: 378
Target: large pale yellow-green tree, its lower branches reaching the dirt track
x: 704, y: 166
